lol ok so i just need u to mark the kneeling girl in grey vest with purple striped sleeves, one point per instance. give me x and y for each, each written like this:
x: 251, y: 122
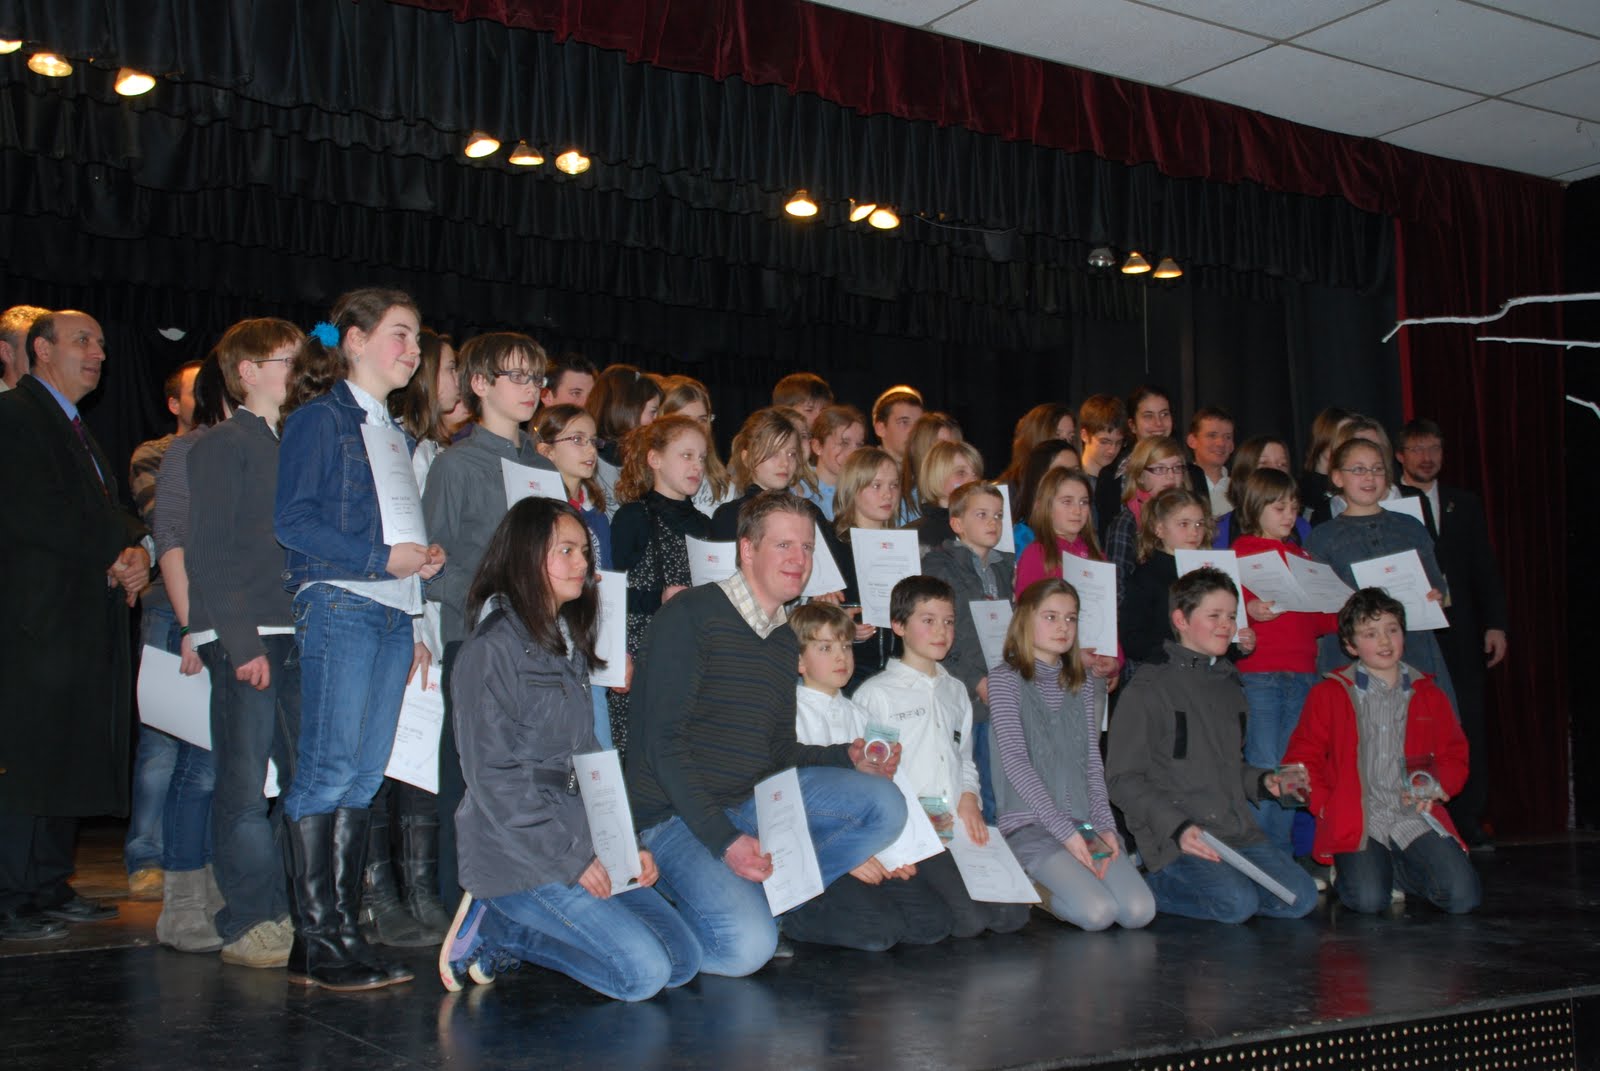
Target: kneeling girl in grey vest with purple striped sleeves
x: 1054, y: 808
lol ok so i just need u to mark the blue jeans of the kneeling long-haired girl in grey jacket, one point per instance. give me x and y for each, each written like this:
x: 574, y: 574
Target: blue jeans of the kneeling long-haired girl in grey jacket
x: 630, y: 947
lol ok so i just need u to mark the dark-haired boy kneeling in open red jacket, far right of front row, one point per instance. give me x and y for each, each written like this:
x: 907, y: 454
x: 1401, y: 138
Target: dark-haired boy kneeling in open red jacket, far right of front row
x: 1383, y: 747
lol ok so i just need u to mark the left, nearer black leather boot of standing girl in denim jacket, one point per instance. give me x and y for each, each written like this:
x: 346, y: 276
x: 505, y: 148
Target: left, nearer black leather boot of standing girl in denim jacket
x: 318, y: 958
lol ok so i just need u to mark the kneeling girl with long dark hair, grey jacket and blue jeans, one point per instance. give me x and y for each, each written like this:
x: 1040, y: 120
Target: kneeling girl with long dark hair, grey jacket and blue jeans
x: 535, y: 891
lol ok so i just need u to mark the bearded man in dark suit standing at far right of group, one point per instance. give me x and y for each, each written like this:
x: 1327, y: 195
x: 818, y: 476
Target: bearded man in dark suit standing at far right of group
x: 1476, y: 640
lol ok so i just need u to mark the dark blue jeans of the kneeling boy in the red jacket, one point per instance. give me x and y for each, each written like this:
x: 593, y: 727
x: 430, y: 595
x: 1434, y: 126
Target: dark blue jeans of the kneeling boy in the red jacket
x: 1431, y: 867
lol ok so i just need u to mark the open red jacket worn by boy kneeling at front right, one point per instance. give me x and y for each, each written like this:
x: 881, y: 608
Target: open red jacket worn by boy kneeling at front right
x: 1327, y: 744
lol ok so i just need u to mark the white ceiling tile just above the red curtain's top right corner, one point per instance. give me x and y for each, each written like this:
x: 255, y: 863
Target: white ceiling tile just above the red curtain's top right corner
x: 1510, y: 137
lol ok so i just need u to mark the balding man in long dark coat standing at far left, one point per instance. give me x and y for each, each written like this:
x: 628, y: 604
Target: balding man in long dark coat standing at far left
x: 74, y: 566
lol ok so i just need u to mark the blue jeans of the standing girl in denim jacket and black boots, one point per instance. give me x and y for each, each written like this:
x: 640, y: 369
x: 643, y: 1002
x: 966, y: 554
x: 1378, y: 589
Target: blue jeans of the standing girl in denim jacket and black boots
x: 354, y: 659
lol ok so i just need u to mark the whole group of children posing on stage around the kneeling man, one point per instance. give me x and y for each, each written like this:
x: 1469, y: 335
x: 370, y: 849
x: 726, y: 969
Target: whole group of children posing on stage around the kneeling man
x: 1215, y: 732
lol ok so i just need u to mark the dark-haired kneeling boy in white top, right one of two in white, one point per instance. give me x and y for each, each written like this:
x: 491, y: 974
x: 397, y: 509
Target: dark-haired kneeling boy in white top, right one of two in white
x: 929, y: 708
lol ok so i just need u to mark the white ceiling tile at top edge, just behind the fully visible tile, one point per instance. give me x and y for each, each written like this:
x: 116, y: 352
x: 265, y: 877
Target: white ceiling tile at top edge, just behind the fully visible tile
x: 1457, y: 44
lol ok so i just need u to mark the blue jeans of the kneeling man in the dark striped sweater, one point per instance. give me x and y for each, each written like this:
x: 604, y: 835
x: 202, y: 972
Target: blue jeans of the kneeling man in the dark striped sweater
x: 852, y: 816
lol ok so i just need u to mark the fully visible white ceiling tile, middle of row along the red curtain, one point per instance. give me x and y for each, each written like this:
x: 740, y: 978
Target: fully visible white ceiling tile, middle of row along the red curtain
x: 1326, y: 92
